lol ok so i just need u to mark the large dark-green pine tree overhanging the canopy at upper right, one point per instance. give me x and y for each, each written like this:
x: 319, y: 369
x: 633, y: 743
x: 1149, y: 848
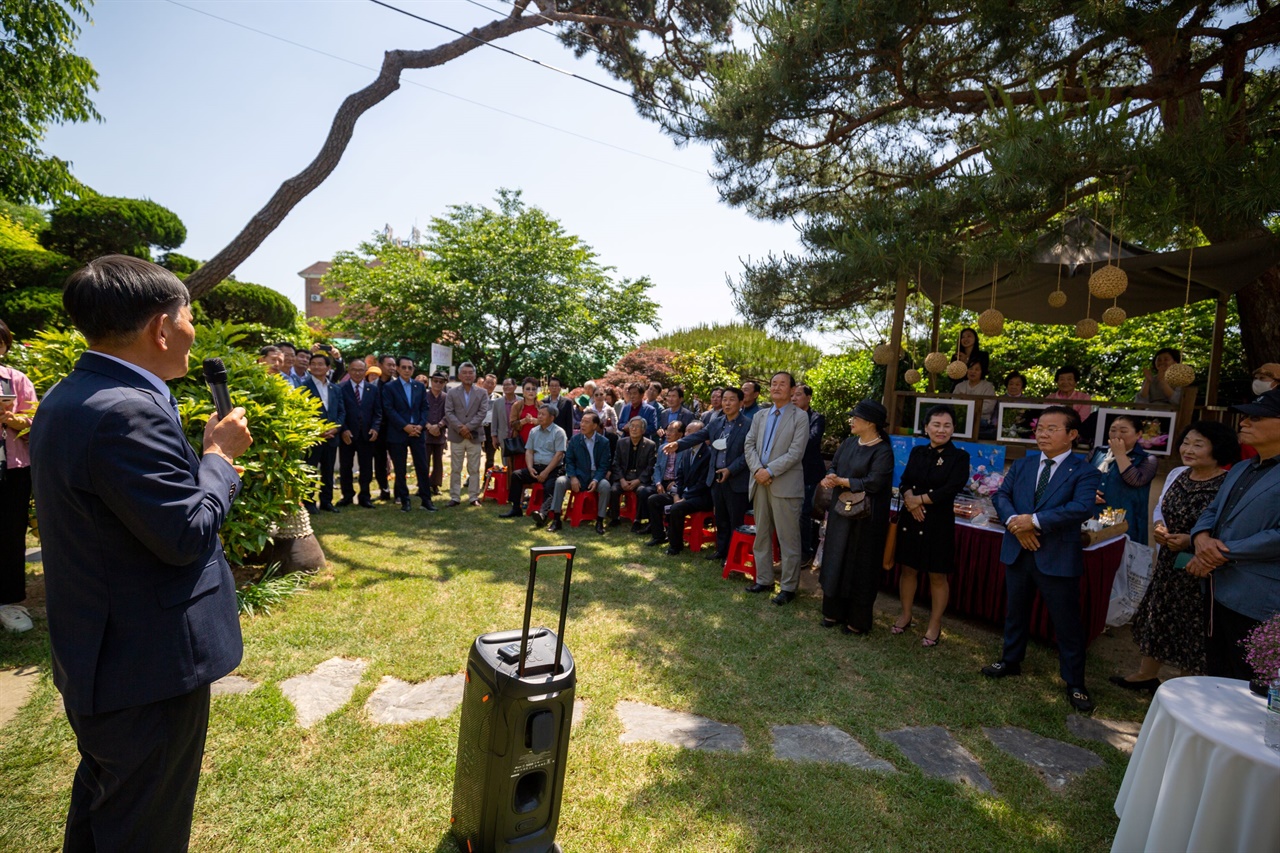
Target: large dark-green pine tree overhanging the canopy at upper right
x: 899, y: 134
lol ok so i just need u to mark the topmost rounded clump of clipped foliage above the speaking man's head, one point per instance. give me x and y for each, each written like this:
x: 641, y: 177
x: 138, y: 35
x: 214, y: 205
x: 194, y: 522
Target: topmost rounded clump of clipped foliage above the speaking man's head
x: 88, y: 229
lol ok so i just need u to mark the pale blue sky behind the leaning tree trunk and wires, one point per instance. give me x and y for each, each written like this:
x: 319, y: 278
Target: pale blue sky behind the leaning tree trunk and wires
x: 208, y: 118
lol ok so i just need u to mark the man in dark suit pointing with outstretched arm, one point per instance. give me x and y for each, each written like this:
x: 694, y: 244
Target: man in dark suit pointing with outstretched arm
x: 728, y: 473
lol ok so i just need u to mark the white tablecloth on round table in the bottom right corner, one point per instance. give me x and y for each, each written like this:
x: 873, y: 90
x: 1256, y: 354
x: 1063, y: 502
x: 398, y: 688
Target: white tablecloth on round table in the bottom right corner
x: 1201, y: 778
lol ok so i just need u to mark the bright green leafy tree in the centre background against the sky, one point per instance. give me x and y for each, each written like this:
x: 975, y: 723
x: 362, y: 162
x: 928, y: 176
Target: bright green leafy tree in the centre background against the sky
x: 508, y: 288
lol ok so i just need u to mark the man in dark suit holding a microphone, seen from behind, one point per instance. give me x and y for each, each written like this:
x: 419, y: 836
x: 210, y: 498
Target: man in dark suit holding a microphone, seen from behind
x: 141, y: 604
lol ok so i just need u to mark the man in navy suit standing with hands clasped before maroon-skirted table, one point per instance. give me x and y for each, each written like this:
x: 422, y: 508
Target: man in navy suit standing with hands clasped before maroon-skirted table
x: 1043, y: 504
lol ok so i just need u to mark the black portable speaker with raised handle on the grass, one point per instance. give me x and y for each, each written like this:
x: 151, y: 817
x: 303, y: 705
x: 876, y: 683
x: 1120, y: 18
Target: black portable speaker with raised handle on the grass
x: 518, y: 708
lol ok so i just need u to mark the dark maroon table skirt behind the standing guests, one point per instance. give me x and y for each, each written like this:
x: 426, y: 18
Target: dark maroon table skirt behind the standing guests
x: 979, y: 583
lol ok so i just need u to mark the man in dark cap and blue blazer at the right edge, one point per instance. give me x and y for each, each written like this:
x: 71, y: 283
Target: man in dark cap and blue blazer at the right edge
x: 1237, y: 542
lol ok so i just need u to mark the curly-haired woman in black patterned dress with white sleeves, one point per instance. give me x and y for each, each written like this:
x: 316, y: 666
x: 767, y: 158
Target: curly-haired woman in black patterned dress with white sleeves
x: 1171, y: 623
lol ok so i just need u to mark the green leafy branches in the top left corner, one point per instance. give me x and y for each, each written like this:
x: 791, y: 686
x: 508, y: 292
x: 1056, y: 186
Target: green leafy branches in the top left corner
x: 43, y: 84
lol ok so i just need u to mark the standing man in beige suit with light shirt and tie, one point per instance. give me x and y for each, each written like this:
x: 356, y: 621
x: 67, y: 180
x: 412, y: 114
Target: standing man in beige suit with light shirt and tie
x: 775, y: 451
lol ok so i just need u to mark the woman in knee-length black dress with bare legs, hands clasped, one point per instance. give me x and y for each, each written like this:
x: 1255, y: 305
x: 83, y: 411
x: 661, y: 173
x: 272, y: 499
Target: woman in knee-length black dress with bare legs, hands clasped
x: 927, y: 522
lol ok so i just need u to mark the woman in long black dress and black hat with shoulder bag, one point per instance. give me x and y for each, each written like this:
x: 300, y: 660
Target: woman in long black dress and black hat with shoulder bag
x: 854, y: 549
